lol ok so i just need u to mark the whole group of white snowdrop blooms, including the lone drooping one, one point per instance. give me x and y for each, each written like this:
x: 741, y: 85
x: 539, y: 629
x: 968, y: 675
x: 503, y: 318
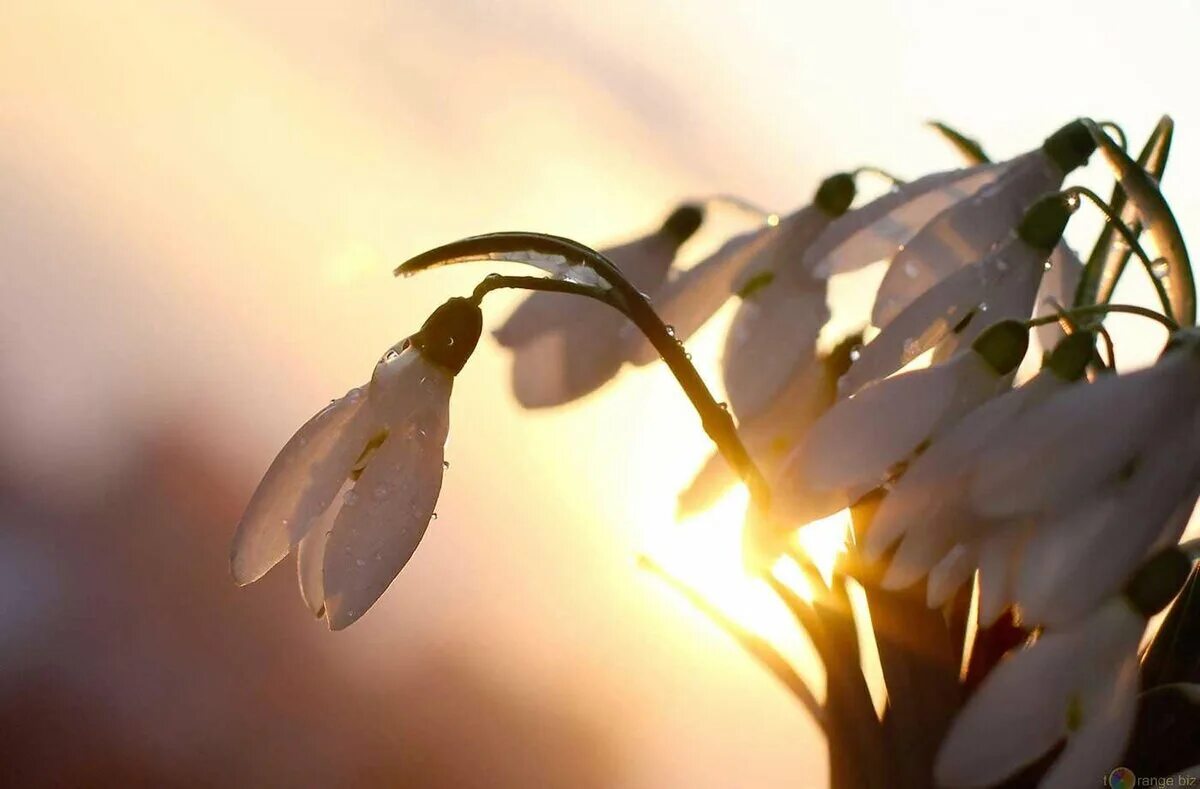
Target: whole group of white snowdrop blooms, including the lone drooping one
x: 1065, y: 493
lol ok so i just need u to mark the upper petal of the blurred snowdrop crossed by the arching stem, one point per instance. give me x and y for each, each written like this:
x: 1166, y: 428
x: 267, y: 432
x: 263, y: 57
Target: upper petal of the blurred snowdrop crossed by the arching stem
x: 645, y: 263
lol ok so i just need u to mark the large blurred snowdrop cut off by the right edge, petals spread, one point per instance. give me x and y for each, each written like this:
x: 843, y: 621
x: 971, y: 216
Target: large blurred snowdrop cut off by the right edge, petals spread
x: 1107, y: 473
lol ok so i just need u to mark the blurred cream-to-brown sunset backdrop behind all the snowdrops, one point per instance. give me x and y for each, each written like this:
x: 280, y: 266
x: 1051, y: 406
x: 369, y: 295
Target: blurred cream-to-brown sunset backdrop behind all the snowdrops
x: 201, y: 204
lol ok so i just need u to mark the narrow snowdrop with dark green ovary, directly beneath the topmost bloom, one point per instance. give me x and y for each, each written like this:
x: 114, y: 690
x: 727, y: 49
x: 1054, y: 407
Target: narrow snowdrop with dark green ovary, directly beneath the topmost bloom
x: 1004, y: 285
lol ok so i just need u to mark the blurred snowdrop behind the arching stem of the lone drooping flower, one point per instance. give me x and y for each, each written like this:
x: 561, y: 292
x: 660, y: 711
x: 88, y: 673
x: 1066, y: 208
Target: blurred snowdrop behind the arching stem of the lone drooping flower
x: 565, y: 347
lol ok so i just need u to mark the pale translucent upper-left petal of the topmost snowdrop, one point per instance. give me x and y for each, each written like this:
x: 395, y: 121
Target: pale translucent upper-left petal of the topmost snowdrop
x: 875, y: 231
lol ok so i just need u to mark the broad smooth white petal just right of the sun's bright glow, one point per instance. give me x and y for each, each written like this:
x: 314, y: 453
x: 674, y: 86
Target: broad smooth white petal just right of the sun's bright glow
x: 860, y: 439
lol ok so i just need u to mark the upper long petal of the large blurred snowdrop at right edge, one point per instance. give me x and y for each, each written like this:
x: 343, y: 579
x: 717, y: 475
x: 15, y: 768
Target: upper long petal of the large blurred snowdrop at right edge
x: 1063, y: 450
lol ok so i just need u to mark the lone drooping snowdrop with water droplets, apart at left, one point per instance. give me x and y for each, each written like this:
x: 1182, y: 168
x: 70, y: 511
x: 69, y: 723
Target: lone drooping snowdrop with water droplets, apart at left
x: 356, y: 487
